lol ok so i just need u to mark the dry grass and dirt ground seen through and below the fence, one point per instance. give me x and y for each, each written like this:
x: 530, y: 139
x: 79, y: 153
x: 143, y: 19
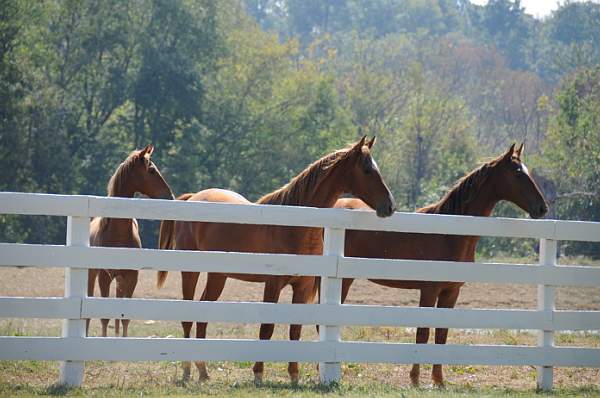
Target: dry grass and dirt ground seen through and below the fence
x: 28, y: 378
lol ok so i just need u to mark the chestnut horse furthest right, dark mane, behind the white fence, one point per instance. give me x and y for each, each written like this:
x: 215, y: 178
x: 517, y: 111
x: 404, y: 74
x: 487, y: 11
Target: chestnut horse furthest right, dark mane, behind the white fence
x: 476, y: 194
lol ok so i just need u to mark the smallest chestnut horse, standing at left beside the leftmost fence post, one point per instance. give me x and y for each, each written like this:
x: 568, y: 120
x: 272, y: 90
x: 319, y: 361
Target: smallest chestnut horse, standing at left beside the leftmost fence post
x: 136, y: 174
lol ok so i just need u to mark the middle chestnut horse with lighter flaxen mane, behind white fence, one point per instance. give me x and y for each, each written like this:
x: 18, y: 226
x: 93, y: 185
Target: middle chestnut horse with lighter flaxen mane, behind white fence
x: 351, y: 170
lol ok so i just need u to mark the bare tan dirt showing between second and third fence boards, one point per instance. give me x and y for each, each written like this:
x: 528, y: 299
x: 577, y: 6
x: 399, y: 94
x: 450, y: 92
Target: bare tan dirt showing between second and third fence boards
x: 30, y: 282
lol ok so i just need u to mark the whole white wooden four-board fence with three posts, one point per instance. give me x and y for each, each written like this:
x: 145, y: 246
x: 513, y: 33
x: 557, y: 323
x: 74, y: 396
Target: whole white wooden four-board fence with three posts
x: 73, y: 347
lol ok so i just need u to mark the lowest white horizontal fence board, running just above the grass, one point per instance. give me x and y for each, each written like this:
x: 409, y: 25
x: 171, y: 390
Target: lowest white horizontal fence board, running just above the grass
x: 146, y: 349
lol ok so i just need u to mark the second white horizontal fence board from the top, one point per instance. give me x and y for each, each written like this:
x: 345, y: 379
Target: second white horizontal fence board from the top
x: 12, y: 254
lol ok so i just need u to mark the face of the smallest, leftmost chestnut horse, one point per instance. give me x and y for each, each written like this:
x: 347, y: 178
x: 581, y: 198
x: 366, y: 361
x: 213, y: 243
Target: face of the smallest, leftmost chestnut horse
x: 148, y: 179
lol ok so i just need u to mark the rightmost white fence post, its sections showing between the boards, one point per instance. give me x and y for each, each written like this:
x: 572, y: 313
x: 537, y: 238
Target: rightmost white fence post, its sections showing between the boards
x: 548, y: 254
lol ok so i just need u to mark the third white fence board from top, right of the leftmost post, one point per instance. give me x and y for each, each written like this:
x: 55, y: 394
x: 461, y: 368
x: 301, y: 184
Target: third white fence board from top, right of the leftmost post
x: 310, y: 314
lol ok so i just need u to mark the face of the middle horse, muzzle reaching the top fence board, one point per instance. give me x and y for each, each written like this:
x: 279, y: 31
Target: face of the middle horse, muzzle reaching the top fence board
x: 365, y: 181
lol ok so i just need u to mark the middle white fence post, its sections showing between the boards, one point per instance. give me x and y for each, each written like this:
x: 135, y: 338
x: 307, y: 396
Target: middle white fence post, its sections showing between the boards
x: 331, y: 293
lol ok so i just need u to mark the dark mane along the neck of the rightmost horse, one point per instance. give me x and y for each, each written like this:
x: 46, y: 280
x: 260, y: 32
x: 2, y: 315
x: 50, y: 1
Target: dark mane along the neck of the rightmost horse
x: 464, y: 191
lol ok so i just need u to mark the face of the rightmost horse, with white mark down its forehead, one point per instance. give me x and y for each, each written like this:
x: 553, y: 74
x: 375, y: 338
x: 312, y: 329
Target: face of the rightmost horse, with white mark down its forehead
x: 517, y: 185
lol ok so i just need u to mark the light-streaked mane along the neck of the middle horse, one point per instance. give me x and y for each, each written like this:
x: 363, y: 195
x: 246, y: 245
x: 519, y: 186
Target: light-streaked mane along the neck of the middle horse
x: 294, y: 191
